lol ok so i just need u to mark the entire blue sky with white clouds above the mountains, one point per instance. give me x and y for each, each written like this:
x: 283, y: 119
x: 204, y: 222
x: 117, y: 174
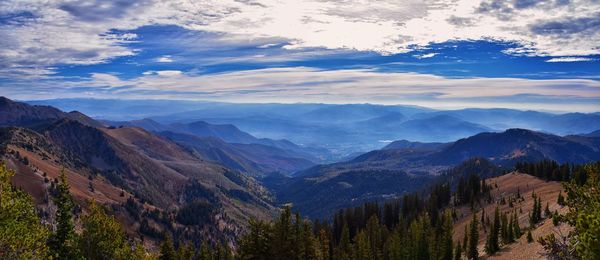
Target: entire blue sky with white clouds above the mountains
x: 523, y: 54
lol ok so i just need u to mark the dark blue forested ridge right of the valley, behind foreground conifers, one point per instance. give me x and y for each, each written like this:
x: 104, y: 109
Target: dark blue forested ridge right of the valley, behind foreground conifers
x: 405, y: 166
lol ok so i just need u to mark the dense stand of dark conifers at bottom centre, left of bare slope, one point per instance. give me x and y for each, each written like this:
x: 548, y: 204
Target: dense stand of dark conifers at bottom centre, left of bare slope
x: 395, y: 230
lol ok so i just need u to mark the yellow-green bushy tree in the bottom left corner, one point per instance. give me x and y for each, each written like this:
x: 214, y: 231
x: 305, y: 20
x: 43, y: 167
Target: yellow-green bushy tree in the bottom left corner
x: 21, y: 234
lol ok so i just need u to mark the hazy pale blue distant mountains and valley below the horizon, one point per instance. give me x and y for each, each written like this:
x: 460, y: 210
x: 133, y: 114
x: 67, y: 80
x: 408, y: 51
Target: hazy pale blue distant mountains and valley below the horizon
x: 342, y: 129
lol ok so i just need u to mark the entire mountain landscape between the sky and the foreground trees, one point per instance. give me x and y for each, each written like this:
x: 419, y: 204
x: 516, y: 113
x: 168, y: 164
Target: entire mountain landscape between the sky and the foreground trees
x: 175, y: 161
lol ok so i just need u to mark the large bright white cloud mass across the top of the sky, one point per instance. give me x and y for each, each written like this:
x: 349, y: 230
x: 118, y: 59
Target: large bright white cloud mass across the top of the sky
x: 43, y: 33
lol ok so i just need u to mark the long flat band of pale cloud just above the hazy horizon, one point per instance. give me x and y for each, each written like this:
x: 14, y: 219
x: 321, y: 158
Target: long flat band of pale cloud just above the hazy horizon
x: 301, y: 84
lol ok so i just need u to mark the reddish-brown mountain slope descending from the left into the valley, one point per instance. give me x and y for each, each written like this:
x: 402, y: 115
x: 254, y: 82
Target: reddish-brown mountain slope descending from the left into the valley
x: 156, y: 171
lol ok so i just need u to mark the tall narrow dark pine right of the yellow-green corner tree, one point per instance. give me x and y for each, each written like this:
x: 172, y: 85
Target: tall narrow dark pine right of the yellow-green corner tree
x: 63, y: 243
